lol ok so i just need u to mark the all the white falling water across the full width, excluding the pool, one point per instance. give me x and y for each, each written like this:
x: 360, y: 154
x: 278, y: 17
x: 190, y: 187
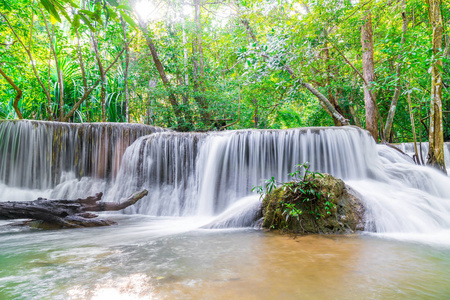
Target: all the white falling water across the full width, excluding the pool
x: 211, y: 174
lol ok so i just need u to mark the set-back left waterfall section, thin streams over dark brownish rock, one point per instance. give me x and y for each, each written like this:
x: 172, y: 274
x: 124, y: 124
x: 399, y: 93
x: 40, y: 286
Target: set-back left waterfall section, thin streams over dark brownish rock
x: 40, y: 155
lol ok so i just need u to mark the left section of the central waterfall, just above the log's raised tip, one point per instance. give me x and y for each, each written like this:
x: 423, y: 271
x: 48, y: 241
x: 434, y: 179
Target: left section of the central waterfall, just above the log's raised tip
x: 166, y: 165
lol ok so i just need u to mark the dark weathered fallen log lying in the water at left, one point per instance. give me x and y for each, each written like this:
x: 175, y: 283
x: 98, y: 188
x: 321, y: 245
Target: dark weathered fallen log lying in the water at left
x: 52, y: 214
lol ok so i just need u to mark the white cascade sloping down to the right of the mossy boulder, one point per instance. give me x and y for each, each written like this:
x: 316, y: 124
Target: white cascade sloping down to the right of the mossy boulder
x: 413, y: 200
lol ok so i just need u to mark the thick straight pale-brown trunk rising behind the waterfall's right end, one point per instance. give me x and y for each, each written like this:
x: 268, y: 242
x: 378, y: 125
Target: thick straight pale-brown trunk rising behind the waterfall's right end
x: 369, y: 74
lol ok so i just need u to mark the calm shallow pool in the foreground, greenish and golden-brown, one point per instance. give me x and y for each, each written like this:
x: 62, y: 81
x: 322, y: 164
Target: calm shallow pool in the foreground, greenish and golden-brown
x: 149, y: 258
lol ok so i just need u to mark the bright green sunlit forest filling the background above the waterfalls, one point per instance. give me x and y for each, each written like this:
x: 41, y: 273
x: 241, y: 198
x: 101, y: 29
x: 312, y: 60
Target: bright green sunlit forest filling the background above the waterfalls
x: 207, y: 64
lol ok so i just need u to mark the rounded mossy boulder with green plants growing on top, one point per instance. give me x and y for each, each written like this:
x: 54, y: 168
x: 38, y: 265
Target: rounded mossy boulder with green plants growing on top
x: 330, y: 207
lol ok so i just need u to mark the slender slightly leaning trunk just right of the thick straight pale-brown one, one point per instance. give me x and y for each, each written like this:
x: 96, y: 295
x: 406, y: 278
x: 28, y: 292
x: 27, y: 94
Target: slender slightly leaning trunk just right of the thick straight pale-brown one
x: 390, y: 118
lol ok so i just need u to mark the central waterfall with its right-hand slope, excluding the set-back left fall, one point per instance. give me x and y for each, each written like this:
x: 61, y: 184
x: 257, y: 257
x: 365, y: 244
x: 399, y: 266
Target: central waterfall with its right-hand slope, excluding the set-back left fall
x: 207, y: 174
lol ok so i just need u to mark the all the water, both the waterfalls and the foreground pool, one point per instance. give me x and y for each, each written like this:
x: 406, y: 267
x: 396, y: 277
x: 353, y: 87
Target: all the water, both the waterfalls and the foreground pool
x: 165, y: 248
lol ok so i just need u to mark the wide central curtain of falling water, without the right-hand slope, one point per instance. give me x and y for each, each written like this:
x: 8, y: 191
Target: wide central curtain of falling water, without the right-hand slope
x: 204, y: 173
